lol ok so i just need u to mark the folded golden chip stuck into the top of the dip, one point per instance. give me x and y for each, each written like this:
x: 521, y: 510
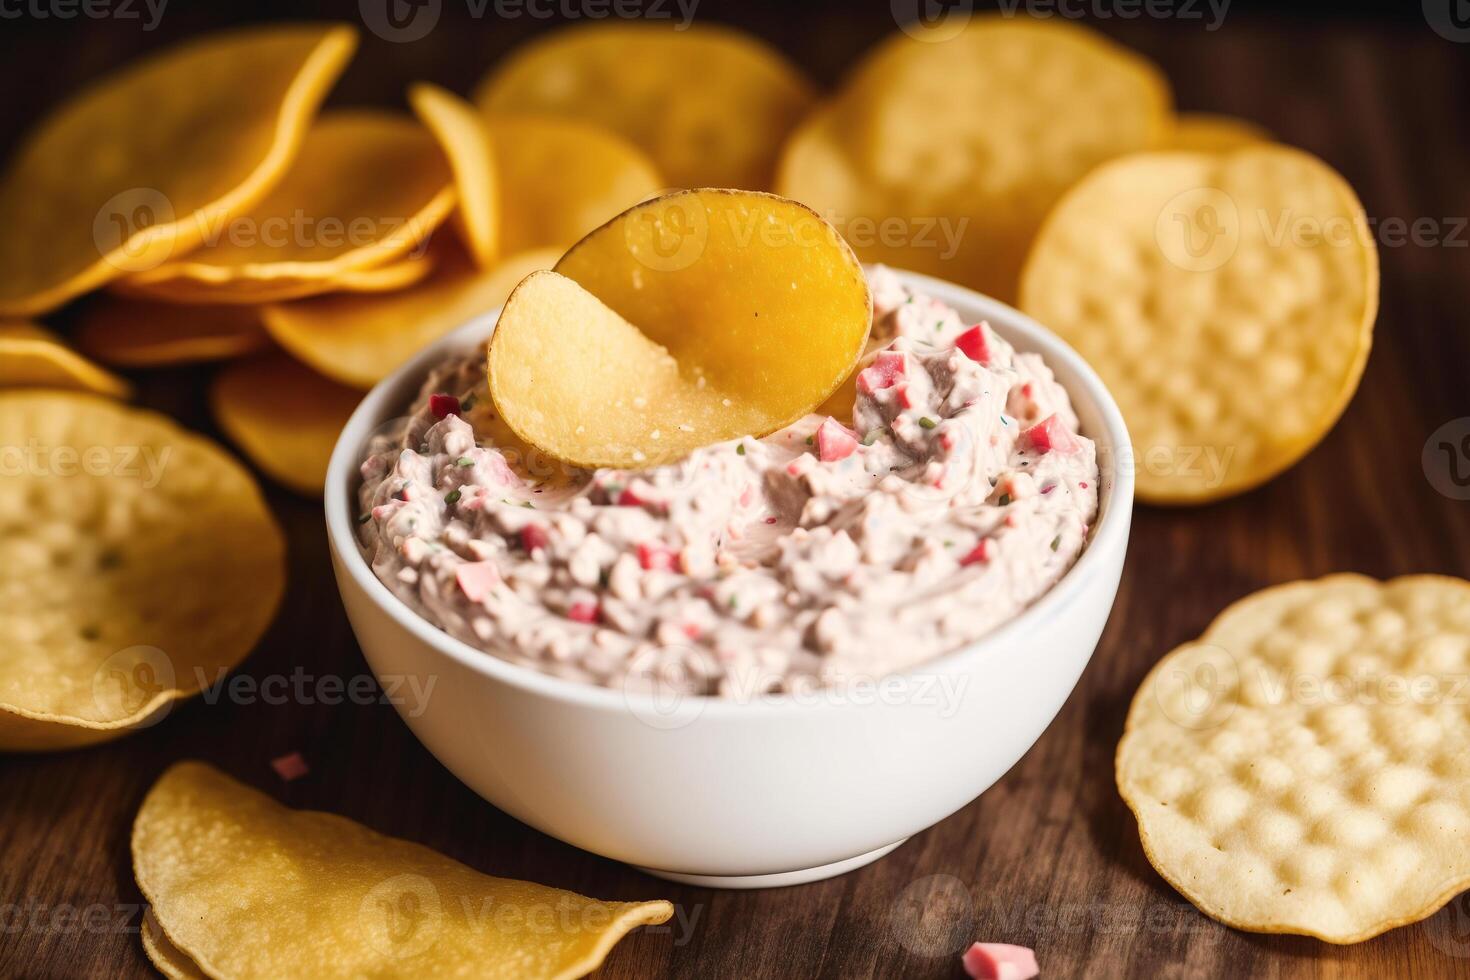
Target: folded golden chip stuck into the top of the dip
x: 695, y: 318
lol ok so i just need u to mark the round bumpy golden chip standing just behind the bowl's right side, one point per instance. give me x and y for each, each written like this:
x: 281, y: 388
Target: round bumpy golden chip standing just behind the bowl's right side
x: 1227, y: 300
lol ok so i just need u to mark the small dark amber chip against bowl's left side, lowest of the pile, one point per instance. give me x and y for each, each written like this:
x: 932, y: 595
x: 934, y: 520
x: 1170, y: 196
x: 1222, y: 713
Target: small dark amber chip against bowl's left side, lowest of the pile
x: 283, y: 417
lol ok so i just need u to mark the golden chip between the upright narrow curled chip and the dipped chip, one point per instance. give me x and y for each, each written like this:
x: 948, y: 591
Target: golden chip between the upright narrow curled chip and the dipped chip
x: 561, y: 179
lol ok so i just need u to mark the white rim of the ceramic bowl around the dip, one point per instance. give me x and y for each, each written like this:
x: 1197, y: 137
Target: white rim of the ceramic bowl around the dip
x: 1109, y: 533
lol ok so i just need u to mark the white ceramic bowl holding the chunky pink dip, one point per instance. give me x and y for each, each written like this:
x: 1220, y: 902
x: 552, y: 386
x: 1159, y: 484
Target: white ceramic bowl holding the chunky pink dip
x: 745, y: 794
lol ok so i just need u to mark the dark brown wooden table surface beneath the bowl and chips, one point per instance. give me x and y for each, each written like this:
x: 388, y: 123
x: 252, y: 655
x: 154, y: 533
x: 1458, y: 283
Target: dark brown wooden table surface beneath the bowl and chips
x: 1050, y: 856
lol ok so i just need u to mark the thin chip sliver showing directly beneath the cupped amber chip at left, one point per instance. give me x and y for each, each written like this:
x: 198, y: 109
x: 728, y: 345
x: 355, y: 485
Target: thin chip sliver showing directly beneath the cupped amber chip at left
x: 387, y: 278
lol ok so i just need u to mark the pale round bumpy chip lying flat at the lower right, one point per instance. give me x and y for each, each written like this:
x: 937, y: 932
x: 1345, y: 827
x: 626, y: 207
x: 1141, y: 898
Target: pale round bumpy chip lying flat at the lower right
x: 1303, y: 766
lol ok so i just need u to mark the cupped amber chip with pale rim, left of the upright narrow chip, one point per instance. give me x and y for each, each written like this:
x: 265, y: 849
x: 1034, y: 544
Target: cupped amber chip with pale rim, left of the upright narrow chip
x: 368, y: 189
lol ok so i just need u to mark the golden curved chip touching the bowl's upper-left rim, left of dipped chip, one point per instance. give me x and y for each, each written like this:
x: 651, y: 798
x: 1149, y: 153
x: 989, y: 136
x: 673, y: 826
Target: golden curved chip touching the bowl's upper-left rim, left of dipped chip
x: 361, y: 340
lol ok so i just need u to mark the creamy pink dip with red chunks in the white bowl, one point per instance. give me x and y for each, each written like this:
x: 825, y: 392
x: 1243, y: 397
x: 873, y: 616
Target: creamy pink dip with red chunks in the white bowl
x: 812, y: 558
